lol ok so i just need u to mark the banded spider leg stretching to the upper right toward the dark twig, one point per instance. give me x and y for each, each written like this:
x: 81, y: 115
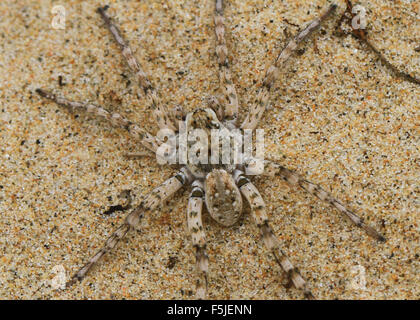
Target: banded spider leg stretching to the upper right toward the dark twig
x: 257, y: 109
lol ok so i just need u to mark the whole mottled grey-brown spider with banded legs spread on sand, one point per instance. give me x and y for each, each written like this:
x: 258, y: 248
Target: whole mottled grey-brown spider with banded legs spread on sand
x: 219, y: 187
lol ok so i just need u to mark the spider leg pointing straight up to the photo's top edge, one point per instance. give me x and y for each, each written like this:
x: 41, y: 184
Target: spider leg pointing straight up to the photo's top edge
x: 232, y: 107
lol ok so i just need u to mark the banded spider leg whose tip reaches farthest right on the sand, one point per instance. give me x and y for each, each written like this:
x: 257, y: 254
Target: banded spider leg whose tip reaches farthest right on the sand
x: 294, y: 179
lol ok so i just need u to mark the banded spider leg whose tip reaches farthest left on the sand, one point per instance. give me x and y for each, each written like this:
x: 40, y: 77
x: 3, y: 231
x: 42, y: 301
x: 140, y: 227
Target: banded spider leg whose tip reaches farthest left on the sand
x: 147, y: 140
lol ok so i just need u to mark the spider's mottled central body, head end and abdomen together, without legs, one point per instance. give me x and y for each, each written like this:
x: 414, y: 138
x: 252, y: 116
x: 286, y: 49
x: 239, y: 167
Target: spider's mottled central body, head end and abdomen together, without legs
x: 222, y: 197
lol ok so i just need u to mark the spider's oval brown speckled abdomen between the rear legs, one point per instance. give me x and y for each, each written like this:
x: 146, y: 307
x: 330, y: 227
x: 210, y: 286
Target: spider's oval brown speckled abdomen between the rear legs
x: 223, y: 199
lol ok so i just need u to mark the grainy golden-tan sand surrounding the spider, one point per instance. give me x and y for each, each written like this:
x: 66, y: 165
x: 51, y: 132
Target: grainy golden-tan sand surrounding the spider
x: 337, y: 116
